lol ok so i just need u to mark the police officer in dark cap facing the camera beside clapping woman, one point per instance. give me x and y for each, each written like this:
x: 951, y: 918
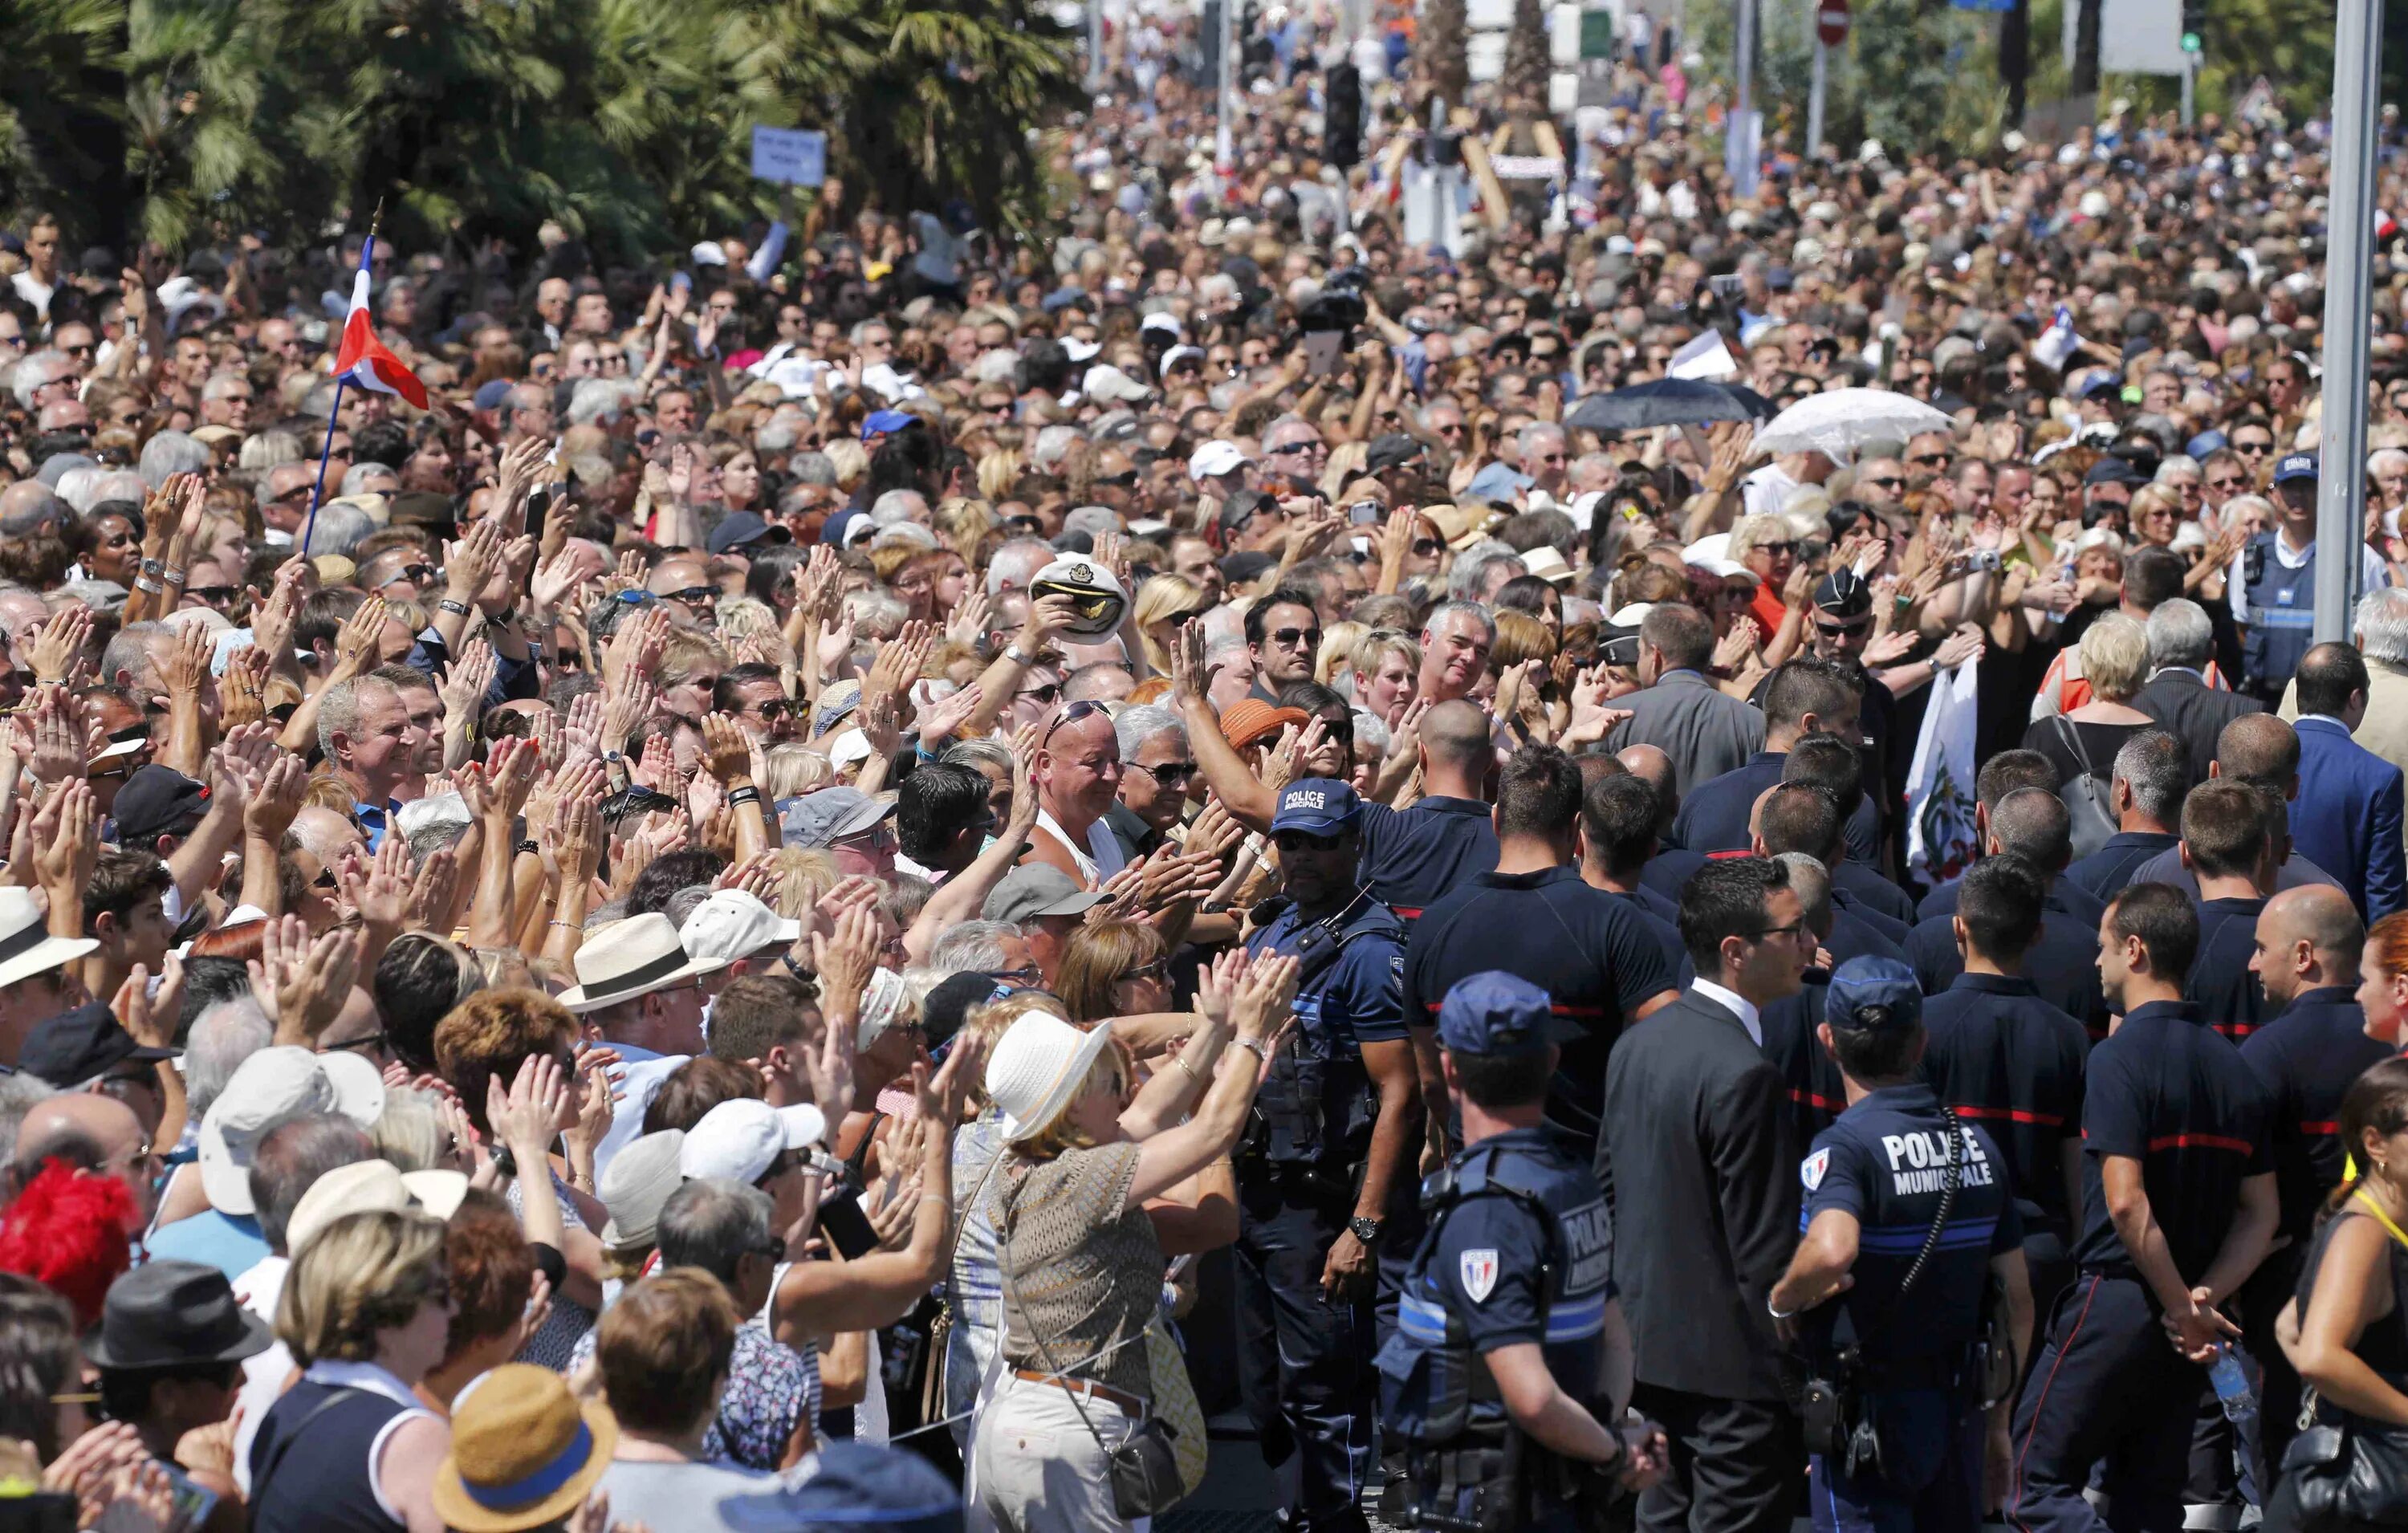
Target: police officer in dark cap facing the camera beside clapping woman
x: 1342, y: 1094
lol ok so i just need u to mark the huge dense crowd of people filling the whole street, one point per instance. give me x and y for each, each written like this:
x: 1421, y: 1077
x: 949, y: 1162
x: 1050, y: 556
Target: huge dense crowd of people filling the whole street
x: 842, y: 889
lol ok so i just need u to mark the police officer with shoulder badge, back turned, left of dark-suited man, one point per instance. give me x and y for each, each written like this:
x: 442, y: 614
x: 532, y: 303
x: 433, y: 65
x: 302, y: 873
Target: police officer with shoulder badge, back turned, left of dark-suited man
x: 1511, y: 1363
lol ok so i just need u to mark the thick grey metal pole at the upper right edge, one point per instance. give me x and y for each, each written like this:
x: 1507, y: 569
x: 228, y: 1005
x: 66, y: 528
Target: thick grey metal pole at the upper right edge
x: 2349, y: 254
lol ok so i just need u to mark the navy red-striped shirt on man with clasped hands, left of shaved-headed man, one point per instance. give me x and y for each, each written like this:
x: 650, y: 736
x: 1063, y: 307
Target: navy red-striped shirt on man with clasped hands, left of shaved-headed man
x: 2176, y: 1096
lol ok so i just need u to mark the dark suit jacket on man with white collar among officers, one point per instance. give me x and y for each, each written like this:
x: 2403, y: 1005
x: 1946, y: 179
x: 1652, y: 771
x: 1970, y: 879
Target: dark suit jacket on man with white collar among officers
x: 1704, y: 1176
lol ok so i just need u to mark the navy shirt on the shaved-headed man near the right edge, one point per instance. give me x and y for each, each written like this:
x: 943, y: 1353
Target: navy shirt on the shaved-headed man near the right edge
x: 2308, y: 1058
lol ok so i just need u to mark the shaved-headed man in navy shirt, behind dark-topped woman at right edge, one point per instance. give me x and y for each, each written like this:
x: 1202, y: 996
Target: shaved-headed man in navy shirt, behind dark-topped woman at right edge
x: 2308, y: 945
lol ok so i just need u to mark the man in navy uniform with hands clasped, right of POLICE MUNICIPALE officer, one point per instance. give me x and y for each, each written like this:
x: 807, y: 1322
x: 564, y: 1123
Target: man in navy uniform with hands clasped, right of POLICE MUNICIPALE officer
x: 2178, y: 1212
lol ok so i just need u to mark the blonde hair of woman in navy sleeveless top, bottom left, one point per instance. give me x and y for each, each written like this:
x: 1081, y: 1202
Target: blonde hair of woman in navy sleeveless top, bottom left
x: 362, y: 1274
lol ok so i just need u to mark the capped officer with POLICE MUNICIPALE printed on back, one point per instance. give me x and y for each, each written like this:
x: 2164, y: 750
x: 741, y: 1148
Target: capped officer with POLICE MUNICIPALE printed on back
x: 1908, y: 1217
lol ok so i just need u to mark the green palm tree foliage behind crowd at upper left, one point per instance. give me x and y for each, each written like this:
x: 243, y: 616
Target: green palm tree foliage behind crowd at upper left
x: 627, y: 122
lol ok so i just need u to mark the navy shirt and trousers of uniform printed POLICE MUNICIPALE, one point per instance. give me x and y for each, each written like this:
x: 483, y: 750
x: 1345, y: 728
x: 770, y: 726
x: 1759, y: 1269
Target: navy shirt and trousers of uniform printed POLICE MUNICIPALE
x: 1887, y: 1164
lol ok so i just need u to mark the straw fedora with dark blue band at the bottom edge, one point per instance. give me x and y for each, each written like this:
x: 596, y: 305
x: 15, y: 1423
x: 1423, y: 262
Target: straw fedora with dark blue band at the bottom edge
x: 524, y: 1452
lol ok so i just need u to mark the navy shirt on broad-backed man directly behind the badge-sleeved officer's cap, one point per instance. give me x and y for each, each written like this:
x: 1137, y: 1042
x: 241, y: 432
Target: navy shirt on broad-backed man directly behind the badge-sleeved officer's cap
x: 1590, y: 952
